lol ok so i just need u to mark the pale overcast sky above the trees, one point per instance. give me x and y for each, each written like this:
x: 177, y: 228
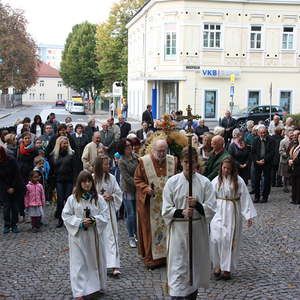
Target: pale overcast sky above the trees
x: 50, y: 22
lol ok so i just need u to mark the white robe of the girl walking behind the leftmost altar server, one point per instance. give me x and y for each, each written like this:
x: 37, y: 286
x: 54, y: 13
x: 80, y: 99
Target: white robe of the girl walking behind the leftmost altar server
x: 111, y: 230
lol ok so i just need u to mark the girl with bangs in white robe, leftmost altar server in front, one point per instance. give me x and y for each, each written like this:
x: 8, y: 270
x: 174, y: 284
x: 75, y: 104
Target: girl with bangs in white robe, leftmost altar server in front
x: 85, y: 216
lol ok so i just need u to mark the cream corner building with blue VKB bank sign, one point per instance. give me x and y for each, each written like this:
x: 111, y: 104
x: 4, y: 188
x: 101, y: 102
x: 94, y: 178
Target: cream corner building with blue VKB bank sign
x: 213, y: 55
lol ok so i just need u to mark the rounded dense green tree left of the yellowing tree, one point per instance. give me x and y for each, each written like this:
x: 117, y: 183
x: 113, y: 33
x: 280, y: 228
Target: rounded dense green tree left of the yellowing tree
x: 79, y: 67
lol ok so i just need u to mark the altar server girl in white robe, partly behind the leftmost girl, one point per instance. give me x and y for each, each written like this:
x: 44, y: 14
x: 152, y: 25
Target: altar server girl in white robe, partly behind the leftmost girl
x: 108, y: 187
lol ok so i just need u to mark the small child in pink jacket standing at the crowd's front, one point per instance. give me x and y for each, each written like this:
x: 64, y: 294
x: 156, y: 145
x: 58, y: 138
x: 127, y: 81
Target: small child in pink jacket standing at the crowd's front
x: 35, y: 200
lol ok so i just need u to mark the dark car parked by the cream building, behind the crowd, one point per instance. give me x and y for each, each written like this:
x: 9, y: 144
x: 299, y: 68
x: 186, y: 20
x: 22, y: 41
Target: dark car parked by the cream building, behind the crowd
x: 257, y: 113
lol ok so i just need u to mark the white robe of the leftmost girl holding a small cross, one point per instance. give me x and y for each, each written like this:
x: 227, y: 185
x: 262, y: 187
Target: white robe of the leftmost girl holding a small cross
x: 87, y: 255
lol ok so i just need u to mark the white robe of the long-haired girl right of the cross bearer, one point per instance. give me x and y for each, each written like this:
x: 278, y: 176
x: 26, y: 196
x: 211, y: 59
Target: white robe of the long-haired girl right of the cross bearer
x: 225, y: 226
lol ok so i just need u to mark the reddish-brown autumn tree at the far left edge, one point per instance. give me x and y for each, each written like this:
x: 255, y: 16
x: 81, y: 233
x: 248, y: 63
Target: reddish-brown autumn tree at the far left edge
x: 18, y: 58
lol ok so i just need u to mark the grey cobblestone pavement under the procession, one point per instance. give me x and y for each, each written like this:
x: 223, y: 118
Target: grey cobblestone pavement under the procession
x: 36, y: 266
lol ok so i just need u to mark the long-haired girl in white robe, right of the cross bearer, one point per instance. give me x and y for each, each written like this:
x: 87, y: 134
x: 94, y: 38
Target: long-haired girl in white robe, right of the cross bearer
x: 233, y: 203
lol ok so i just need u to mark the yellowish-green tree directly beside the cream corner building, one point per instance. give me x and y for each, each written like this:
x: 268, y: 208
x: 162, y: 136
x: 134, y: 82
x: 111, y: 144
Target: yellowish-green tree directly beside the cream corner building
x: 112, y: 42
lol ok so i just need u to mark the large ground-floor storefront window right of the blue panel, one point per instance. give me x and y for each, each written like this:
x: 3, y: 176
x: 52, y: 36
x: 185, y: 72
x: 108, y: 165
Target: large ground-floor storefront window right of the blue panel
x: 169, y: 97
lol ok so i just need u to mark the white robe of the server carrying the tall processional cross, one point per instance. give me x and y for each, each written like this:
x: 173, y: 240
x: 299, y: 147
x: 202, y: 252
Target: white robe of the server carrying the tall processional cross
x: 174, y: 197
